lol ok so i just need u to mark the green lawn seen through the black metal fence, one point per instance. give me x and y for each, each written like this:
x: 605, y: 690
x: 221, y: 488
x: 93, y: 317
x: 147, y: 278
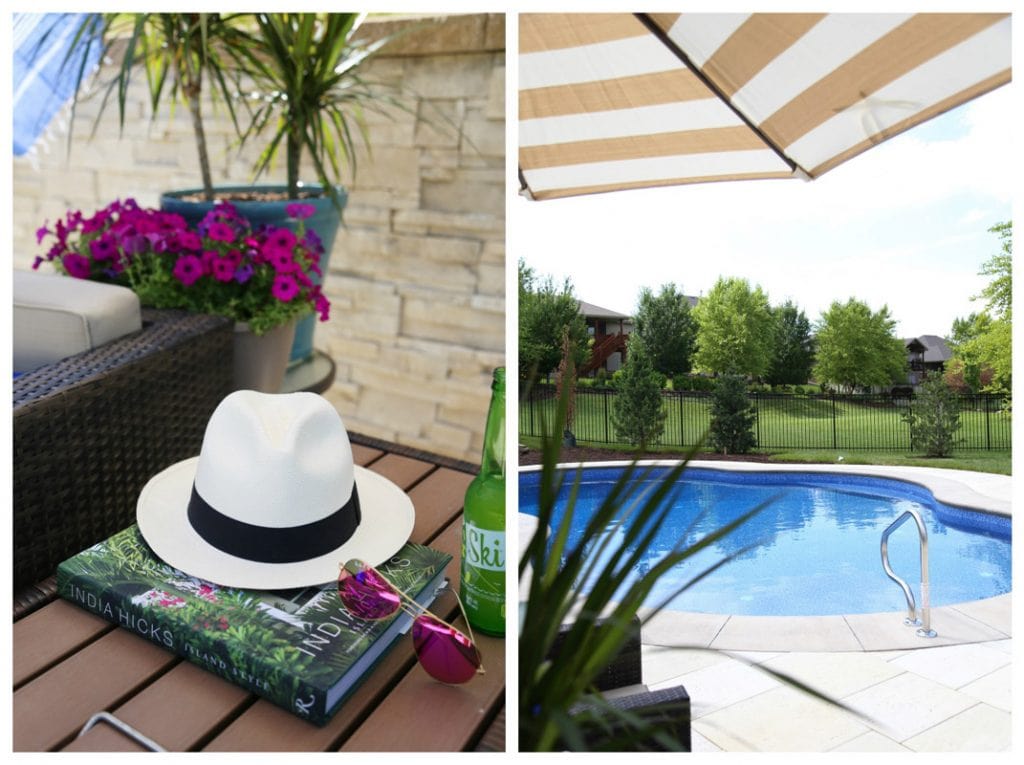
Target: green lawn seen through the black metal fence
x: 791, y: 426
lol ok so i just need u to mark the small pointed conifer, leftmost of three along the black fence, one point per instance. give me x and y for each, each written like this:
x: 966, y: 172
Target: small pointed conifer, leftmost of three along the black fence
x: 637, y: 413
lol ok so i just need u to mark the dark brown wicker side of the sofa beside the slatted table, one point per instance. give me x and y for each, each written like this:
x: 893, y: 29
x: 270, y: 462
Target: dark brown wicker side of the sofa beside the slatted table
x: 92, y: 430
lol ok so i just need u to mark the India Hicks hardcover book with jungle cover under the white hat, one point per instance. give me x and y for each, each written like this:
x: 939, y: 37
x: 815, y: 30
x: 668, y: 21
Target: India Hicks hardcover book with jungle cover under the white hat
x: 301, y: 649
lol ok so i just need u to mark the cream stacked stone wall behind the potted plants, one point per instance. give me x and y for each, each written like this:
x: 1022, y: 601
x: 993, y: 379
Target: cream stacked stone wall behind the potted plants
x: 417, y: 277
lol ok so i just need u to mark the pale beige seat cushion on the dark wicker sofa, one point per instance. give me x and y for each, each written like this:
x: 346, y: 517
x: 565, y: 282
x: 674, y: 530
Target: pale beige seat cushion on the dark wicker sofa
x: 57, y: 317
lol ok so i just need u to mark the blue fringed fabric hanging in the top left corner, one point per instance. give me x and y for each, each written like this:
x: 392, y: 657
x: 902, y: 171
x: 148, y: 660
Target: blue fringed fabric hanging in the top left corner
x: 41, y: 42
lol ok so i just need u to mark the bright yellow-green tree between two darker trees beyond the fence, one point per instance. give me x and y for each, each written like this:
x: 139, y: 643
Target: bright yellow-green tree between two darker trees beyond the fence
x: 735, y: 330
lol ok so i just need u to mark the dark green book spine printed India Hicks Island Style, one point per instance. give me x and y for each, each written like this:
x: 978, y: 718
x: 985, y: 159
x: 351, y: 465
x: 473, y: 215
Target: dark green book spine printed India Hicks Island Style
x: 115, y: 605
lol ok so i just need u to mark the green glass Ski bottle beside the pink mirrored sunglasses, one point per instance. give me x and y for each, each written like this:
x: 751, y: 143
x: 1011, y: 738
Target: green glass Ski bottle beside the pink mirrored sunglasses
x: 483, y: 572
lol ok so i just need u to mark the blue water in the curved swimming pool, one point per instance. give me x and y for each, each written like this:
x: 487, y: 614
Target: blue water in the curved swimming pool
x: 819, y: 542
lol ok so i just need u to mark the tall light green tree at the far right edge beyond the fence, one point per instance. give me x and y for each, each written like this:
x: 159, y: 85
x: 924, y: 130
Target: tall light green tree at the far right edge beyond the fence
x: 983, y: 343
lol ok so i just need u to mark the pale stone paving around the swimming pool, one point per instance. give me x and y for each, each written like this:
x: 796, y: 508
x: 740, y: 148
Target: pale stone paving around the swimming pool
x: 950, y: 694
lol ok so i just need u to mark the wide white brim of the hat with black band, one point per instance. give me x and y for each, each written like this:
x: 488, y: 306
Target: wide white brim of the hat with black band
x: 162, y: 516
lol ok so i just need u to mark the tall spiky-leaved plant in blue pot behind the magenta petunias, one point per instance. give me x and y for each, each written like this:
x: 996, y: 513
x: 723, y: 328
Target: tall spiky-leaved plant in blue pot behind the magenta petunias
x: 305, y: 94
